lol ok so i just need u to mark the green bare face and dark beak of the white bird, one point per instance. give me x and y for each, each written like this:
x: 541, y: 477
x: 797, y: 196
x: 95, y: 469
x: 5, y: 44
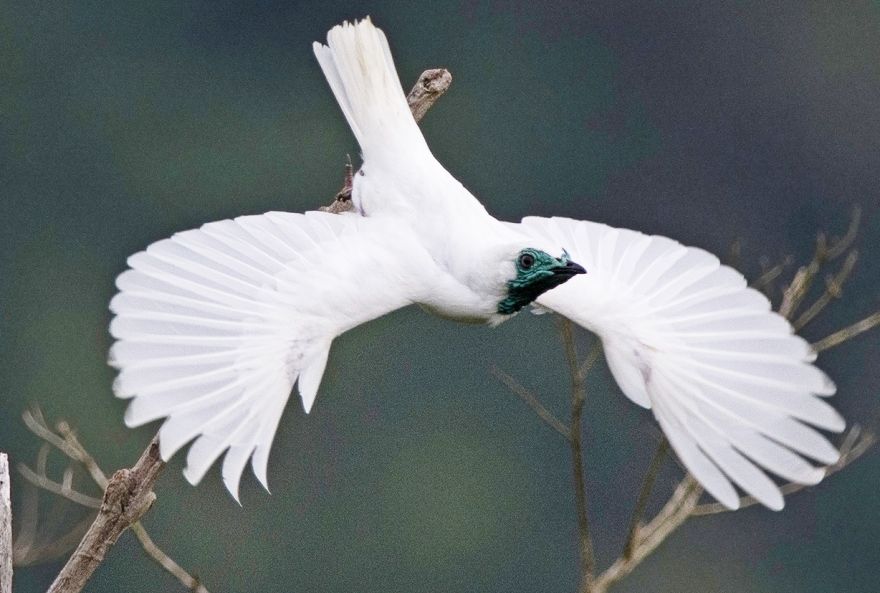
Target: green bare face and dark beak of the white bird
x: 536, y: 272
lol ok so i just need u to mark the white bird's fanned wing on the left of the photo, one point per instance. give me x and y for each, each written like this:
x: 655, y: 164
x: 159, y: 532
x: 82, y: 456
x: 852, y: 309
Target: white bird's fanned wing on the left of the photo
x: 215, y: 325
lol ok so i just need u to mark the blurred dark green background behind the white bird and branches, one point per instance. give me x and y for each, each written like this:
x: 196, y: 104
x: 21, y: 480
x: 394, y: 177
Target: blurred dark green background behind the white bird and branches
x: 121, y: 123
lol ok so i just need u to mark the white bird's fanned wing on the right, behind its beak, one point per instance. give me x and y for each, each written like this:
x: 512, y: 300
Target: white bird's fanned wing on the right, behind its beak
x: 730, y: 384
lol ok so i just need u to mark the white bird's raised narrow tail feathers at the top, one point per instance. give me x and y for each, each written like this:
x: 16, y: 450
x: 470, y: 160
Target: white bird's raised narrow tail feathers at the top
x: 358, y: 66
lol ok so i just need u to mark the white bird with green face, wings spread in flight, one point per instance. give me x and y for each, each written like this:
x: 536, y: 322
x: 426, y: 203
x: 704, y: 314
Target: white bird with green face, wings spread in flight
x: 214, y: 326
